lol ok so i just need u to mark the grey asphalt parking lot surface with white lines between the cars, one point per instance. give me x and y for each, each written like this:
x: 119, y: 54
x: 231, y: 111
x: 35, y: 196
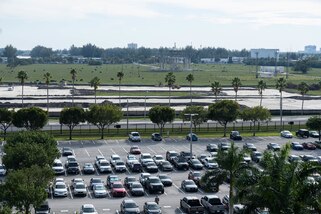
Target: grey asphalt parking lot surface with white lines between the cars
x: 86, y: 151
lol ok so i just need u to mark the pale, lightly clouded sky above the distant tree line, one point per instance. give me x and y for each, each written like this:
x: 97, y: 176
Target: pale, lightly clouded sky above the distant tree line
x: 288, y: 25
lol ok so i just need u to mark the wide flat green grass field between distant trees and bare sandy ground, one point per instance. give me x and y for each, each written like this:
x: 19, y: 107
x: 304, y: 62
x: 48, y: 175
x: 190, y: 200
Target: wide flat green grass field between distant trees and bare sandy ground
x: 204, y: 75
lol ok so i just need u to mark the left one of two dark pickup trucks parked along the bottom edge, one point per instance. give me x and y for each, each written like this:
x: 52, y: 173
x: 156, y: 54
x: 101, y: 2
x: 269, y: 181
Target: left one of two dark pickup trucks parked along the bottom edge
x: 191, y: 205
